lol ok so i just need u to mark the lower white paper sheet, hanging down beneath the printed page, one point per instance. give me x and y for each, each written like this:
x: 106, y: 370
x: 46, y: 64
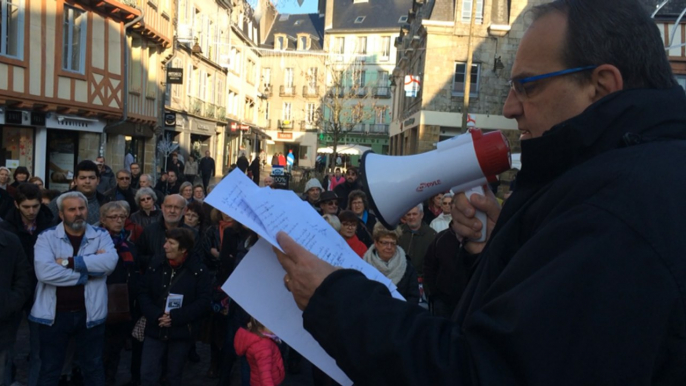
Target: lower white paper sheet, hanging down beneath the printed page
x: 269, y: 302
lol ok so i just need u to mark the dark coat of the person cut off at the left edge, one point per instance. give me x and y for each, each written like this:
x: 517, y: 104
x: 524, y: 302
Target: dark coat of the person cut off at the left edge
x: 15, y: 286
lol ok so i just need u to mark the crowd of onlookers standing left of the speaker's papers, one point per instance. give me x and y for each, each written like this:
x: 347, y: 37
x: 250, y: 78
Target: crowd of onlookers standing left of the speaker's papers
x: 135, y: 265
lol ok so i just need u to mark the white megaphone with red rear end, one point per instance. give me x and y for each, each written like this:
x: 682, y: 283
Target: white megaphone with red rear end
x: 395, y: 184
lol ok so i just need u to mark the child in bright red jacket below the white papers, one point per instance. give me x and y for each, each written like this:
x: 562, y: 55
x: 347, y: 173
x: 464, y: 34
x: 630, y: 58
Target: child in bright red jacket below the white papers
x: 257, y: 344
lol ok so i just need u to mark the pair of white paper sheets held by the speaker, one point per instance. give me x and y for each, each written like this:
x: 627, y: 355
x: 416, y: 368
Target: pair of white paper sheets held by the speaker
x: 257, y: 283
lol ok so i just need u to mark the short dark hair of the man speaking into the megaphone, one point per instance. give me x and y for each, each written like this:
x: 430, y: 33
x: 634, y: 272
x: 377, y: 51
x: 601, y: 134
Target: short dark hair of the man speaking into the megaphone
x: 616, y: 32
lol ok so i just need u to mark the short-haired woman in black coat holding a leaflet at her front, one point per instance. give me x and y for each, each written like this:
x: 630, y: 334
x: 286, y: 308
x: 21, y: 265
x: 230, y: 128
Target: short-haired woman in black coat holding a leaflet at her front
x: 174, y: 297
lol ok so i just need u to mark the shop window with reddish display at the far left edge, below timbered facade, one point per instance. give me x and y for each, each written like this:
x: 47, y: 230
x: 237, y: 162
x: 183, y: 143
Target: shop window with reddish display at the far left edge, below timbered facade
x: 17, y: 147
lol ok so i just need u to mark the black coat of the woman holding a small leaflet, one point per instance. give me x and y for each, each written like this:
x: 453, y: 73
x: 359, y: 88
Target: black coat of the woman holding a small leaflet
x: 193, y: 283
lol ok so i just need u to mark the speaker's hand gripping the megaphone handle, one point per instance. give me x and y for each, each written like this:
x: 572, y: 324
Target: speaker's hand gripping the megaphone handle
x: 469, y: 227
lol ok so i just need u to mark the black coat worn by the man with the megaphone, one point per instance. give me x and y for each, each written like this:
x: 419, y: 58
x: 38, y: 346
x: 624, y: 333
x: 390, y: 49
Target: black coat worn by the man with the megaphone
x: 581, y: 283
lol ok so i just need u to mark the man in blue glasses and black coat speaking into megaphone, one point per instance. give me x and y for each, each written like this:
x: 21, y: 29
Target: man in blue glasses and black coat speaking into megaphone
x: 582, y: 277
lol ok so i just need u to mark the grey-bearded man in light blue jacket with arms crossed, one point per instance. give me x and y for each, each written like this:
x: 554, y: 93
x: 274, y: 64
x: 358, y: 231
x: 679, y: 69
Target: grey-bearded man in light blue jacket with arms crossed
x: 72, y: 261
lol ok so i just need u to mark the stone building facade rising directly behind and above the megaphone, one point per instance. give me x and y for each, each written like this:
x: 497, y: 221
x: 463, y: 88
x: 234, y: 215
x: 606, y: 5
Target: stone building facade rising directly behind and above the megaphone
x: 433, y: 47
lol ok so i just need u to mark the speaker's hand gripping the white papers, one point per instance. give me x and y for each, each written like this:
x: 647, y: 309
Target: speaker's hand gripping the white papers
x: 304, y: 271
